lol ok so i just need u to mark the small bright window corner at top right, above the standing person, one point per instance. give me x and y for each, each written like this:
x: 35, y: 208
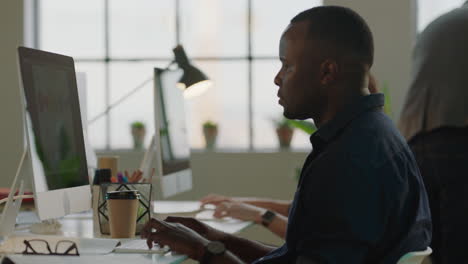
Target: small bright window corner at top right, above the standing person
x: 428, y: 10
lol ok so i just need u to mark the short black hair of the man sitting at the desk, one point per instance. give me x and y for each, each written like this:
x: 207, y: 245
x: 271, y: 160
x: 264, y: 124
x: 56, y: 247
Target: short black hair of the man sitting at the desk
x: 342, y: 28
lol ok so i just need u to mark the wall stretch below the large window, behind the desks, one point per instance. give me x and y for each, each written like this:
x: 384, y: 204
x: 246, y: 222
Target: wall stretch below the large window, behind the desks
x: 237, y: 174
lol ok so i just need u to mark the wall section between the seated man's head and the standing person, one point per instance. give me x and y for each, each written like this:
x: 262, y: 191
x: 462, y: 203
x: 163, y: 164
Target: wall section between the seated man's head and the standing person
x: 393, y: 24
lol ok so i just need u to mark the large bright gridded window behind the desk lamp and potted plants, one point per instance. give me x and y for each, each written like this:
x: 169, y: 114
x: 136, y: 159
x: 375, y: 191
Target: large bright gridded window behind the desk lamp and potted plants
x: 118, y: 43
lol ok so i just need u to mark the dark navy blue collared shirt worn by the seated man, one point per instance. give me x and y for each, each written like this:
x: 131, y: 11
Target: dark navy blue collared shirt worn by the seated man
x: 360, y: 197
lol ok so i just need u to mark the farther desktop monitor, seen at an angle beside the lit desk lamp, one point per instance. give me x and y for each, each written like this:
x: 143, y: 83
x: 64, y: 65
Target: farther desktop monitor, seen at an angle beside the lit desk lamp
x: 171, y: 144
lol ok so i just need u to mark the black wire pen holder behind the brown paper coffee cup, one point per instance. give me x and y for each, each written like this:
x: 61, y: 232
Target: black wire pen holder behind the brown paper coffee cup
x: 143, y: 214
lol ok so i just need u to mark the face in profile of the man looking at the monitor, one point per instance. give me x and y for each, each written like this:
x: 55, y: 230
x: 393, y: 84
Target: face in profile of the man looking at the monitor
x: 298, y: 79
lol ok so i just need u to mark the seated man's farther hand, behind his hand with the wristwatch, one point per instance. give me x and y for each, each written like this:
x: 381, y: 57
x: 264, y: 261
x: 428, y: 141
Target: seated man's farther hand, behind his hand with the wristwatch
x: 202, y: 229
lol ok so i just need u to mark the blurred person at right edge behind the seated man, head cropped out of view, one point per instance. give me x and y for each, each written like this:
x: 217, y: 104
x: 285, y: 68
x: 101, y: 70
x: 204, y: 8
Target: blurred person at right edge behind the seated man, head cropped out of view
x: 434, y: 120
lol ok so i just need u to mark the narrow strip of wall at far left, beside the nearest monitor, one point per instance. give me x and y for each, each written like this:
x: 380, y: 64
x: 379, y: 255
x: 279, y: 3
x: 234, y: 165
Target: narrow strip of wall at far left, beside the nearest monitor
x: 11, y: 35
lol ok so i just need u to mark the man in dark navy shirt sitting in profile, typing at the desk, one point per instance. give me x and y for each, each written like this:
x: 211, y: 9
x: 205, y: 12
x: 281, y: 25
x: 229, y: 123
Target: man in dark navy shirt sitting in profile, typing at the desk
x: 360, y: 198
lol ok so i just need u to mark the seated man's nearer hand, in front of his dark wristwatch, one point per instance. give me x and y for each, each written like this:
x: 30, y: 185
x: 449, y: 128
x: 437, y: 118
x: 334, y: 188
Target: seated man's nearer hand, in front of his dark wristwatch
x: 178, y: 237
